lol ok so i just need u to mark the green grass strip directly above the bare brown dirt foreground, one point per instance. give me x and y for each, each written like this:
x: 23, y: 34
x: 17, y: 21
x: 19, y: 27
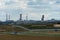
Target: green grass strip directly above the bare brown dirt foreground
x: 30, y: 33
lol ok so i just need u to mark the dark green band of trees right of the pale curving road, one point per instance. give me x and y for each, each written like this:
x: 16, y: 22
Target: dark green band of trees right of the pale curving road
x: 39, y: 26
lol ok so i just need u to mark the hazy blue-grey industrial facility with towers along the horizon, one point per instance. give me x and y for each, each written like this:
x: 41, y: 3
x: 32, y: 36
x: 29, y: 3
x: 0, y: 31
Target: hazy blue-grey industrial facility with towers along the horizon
x: 21, y: 21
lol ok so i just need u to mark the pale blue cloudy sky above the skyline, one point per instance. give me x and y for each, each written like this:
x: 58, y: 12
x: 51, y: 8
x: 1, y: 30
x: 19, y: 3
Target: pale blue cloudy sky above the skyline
x: 33, y: 8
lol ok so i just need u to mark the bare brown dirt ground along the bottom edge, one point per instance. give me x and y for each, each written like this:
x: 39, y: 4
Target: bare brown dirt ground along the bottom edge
x: 20, y: 37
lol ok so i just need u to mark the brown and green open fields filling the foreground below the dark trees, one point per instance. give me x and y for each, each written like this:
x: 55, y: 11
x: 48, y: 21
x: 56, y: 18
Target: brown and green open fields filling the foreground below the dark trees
x: 16, y: 33
